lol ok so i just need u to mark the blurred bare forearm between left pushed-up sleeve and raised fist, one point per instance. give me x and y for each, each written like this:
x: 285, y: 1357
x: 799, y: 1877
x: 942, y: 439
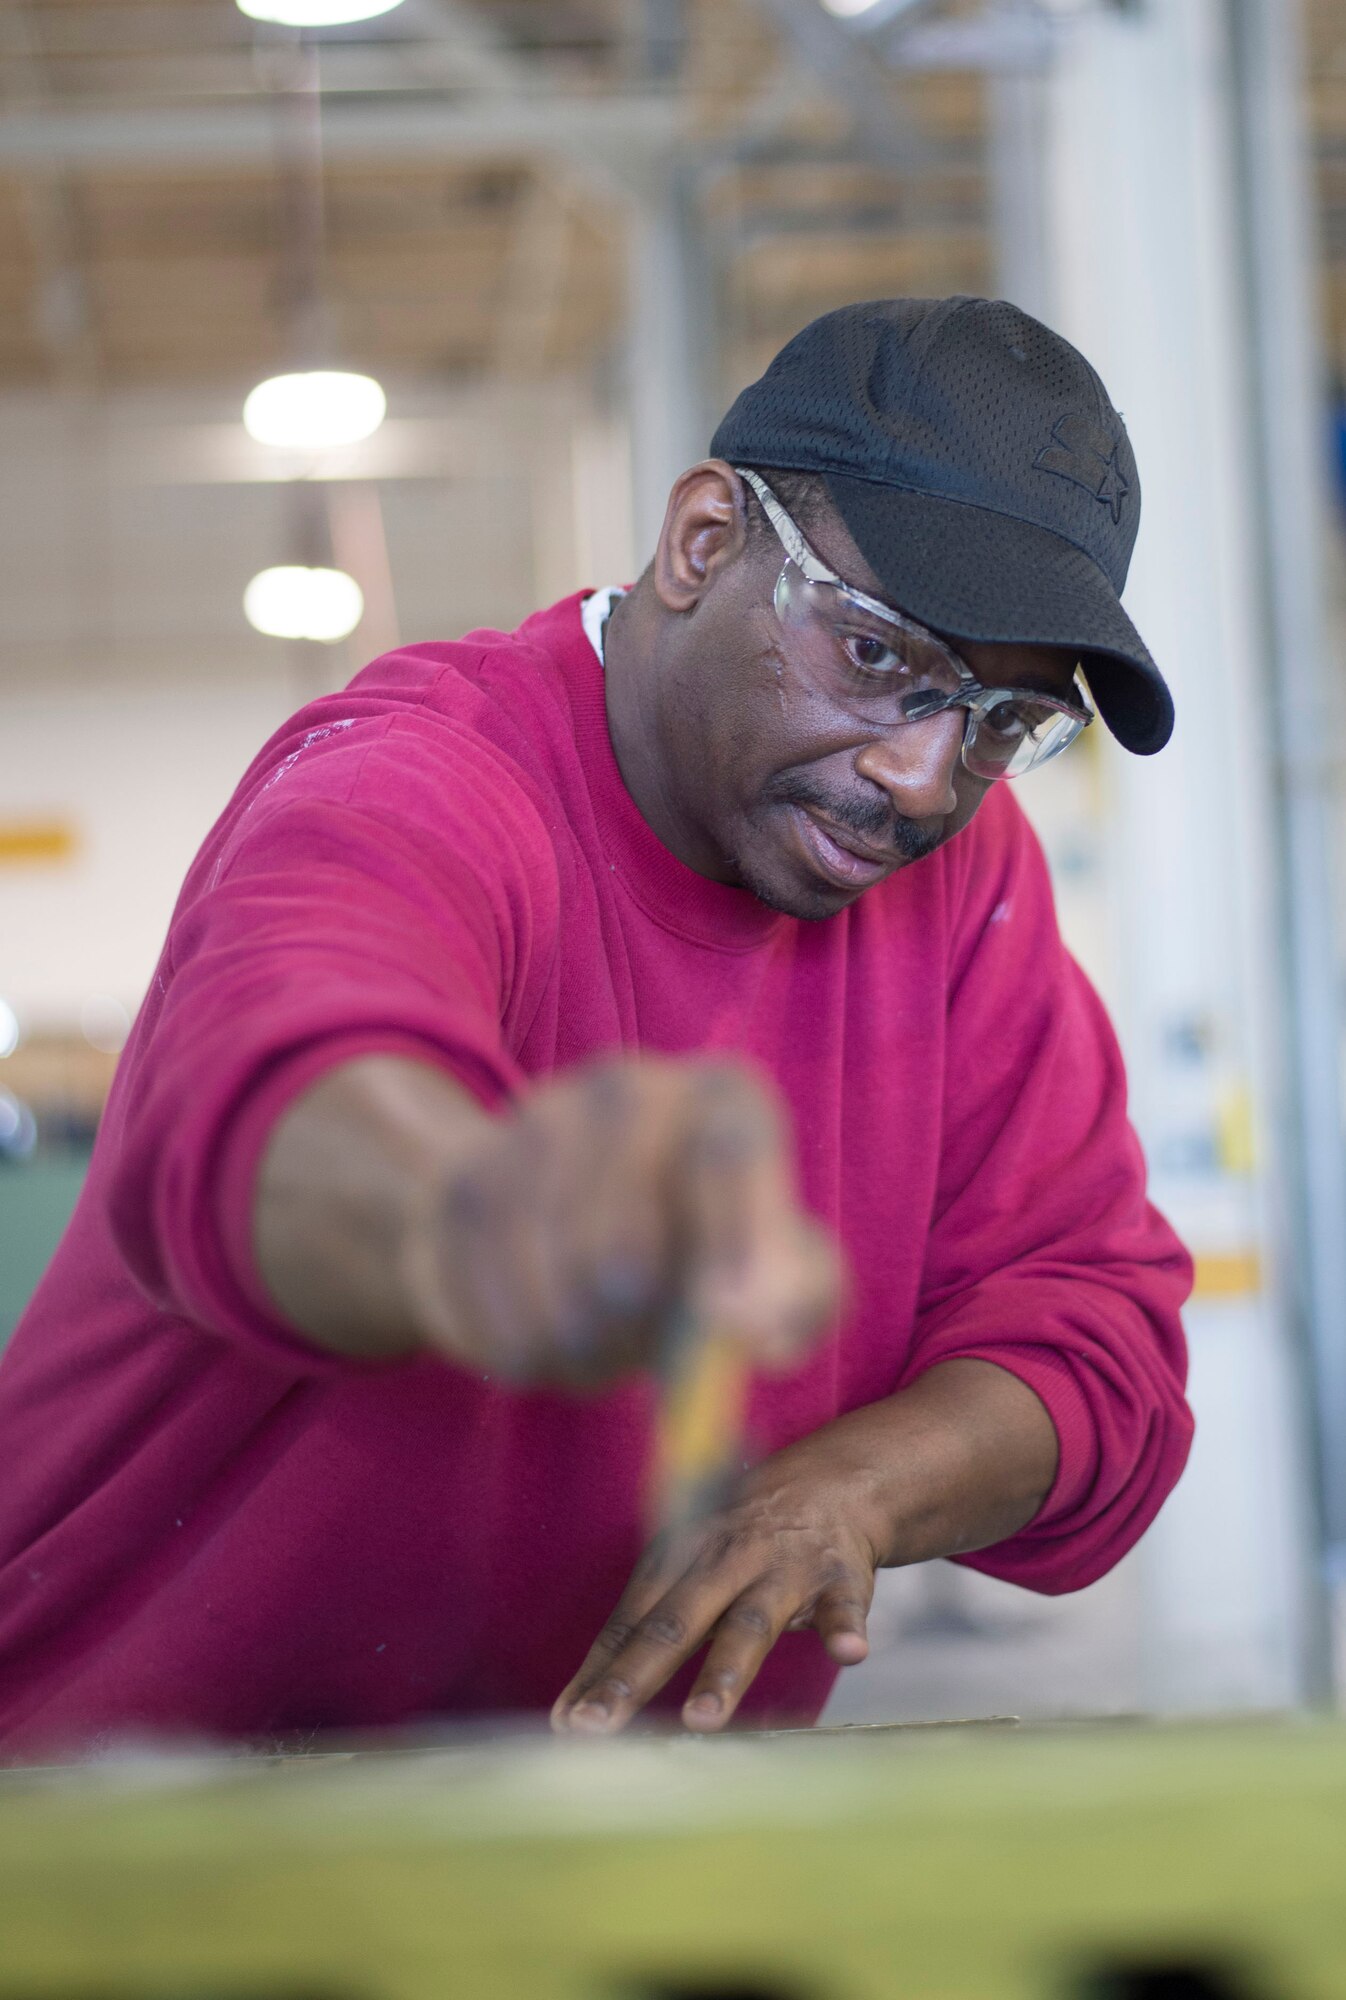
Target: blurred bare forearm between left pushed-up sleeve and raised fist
x: 345, y: 1175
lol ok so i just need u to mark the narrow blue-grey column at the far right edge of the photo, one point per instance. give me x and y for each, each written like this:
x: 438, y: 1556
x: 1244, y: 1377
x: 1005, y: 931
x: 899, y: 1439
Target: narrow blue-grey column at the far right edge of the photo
x: 1293, y: 489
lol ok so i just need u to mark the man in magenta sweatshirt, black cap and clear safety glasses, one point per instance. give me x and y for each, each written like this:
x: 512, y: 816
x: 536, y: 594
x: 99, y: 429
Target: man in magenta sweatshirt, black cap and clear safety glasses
x: 683, y: 951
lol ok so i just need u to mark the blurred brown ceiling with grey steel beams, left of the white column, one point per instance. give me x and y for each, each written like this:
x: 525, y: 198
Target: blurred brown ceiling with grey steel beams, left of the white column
x: 475, y: 169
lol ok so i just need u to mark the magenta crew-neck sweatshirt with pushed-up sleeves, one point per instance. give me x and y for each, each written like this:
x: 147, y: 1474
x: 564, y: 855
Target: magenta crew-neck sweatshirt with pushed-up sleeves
x: 207, y: 1525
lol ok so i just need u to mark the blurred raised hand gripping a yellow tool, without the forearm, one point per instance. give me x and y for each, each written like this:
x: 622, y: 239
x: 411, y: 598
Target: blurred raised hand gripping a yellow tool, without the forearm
x: 565, y: 1237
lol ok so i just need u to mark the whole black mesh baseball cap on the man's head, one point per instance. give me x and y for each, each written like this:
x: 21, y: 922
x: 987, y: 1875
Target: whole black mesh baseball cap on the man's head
x: 983, y: 473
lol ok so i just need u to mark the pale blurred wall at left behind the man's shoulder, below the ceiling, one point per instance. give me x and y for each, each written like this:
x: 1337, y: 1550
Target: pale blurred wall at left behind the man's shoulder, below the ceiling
x: 133, y: 693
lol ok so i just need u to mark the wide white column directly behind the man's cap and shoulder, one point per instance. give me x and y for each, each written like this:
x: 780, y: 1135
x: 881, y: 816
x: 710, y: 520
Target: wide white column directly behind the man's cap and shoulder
x: 1145, y: 253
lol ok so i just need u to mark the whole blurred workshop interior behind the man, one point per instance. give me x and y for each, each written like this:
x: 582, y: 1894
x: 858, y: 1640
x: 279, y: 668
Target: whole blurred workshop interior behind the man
x: 559, y: 237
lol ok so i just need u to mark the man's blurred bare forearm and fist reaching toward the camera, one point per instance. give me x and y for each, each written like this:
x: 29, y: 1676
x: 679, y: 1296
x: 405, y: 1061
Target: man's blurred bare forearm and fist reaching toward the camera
x: 547, y: 1243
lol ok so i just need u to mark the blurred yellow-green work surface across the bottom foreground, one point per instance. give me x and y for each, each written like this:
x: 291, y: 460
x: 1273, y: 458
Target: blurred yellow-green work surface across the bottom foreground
x: 847, y: 1867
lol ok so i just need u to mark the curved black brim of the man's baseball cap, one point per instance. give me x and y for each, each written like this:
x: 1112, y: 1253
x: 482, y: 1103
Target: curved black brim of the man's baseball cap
x: 973, y: 573
